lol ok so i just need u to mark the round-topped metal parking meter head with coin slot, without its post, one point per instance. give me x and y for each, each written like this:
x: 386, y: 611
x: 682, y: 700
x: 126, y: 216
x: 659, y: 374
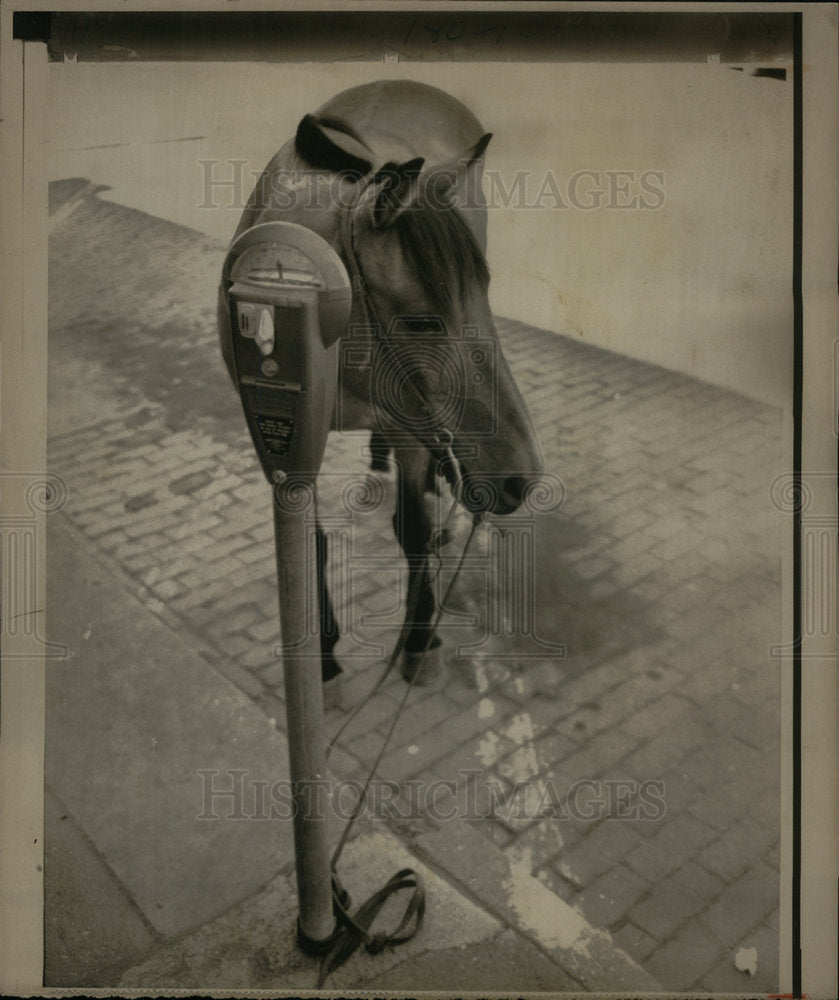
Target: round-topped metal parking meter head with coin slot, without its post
x: 289, y: 300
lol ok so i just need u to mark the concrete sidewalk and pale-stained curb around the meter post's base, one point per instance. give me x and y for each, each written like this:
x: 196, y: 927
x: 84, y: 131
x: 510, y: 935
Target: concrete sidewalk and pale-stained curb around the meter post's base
x: 548, y: 946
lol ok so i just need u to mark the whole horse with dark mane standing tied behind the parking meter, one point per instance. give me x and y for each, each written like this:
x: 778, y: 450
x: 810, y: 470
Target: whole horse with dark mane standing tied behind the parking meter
x: 389, y: 174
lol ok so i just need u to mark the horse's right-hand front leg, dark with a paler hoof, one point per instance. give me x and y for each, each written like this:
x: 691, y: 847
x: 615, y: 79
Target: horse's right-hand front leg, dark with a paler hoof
x: 413, y: 527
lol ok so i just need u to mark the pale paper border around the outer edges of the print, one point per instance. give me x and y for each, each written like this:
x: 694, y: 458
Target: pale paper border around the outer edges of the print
x: 810, y: 701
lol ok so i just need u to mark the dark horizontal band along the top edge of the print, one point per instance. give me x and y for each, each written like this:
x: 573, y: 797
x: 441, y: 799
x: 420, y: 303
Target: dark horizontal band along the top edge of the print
x: 423, y: 35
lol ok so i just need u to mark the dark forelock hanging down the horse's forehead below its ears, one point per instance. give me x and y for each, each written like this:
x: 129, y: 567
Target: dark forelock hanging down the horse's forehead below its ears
x: 443, y: 250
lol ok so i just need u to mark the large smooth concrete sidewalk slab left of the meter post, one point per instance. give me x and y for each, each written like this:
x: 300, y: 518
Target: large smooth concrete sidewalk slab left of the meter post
x: 134, y: 715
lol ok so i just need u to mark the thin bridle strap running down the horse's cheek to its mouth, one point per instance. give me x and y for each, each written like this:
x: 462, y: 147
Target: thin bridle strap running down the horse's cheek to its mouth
x: 439, y: 440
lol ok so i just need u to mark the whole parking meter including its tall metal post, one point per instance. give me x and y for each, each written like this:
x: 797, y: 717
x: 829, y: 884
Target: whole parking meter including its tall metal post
x: 288, y: 300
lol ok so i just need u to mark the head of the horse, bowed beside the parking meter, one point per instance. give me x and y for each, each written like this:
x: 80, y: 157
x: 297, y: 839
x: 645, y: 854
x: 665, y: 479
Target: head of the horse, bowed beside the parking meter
x: 413, y: 241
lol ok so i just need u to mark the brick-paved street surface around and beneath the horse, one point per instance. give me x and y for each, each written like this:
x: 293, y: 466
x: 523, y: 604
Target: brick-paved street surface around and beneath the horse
x: 659, y: 573
